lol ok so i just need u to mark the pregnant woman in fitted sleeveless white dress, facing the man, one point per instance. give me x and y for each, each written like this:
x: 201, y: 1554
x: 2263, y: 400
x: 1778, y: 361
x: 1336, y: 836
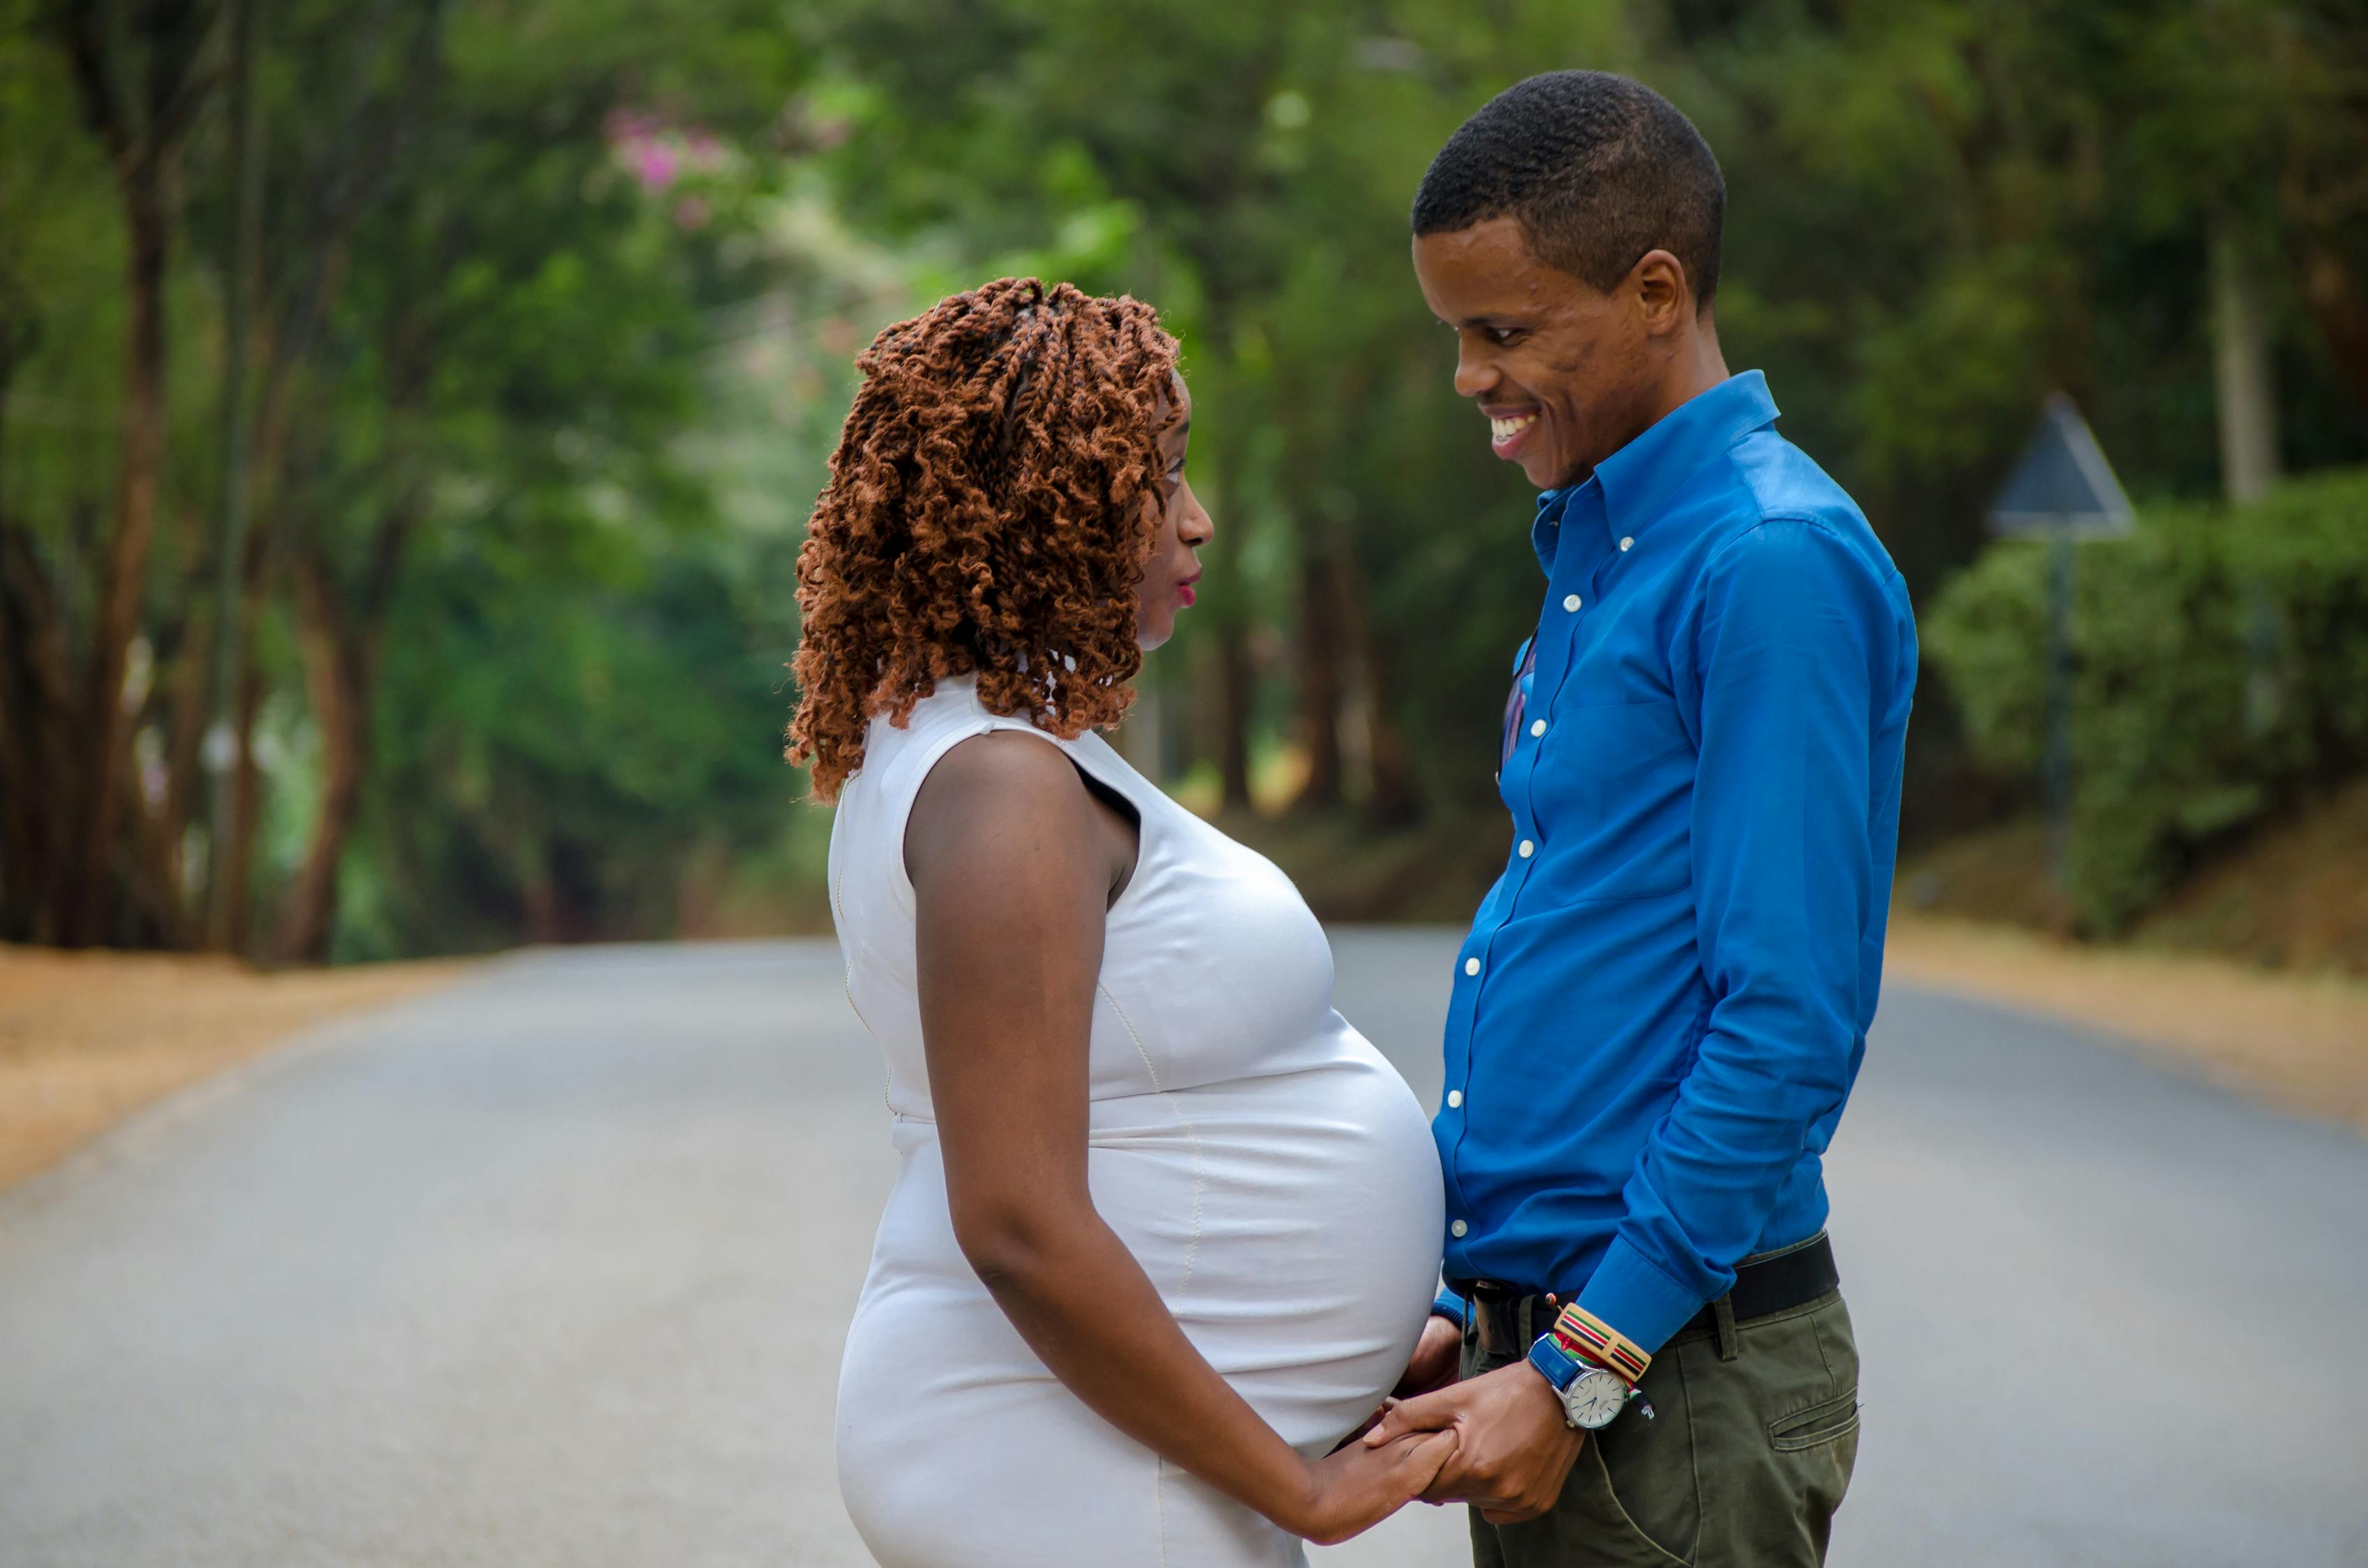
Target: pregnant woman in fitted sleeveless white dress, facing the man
x: 1166, y: 1226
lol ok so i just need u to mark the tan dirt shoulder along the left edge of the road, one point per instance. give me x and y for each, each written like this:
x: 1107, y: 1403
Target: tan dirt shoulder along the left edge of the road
x: 86, y: 1039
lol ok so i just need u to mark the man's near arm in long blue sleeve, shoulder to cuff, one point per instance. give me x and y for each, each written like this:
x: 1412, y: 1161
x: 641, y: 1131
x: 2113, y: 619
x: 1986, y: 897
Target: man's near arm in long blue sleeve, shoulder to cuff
x: 1791, y: 643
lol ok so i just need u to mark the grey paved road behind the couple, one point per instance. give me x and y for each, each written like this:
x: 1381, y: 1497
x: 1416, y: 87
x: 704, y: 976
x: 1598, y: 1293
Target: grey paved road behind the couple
x: 553, y: 1271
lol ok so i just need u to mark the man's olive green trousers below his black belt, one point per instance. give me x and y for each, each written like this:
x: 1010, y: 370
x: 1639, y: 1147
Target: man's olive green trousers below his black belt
x: 1744, y: 1465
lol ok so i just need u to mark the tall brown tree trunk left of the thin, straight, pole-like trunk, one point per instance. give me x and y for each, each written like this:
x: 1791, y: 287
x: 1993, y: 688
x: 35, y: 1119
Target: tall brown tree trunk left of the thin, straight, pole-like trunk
x: 139, y: 468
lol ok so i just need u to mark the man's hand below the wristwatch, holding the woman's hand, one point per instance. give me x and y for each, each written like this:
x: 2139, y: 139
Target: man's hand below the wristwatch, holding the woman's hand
x: 1514, y: 1448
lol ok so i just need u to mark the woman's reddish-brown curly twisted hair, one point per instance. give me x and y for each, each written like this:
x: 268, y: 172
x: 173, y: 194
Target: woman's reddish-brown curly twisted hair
x: 991, y: 510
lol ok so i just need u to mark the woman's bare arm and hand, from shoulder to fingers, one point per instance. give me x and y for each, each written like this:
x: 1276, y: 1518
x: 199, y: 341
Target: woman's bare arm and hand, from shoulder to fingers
x: 1012, y: 866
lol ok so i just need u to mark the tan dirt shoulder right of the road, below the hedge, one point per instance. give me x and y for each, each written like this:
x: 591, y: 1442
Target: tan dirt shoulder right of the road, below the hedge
x: 2296, y: 1041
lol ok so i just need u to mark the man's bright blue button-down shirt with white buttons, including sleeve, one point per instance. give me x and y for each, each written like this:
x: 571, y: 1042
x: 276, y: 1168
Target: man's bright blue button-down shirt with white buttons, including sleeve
x: 1664, y: 1001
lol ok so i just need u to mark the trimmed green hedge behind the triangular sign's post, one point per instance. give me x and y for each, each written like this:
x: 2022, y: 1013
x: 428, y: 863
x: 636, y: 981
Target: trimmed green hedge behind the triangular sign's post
x: 2220, y: 669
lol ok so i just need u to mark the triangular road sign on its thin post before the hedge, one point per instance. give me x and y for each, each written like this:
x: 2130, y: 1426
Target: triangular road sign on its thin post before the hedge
x: 2066, y: 491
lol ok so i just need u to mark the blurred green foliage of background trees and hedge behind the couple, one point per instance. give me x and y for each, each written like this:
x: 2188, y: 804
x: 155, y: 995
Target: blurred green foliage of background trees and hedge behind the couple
x: 612, y: 262
